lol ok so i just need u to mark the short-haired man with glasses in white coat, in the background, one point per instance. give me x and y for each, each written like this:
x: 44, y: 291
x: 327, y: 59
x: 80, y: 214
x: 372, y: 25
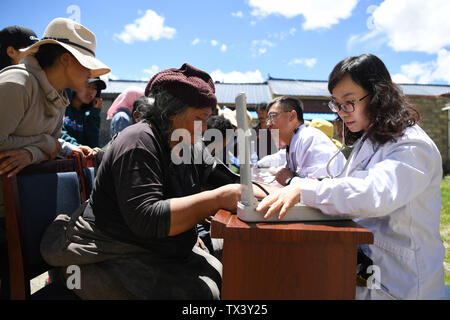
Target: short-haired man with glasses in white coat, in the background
x: 307, y: 149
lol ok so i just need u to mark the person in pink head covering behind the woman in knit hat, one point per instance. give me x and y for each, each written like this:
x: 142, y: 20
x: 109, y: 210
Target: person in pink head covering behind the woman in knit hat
x: 120, y: 111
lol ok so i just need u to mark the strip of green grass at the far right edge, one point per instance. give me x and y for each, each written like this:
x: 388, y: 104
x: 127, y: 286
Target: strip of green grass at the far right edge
x: 445, y: 224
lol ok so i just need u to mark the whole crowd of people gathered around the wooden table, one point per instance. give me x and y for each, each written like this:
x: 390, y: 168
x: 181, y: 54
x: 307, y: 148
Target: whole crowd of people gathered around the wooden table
x: 144, y: 232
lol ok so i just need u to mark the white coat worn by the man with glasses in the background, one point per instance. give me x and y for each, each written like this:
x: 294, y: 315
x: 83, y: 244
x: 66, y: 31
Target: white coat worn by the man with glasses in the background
x: 309, y: 151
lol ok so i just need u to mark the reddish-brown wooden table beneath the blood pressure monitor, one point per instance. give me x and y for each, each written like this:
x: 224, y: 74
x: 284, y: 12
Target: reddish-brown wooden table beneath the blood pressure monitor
x: 311, y: 260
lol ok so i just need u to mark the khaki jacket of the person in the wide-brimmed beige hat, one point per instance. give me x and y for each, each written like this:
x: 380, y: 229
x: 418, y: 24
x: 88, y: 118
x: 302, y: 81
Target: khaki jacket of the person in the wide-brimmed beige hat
x: 31, y: 110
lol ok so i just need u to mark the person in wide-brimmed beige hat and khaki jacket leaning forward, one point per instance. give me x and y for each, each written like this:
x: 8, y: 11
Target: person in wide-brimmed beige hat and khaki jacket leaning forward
x: 32, y: 97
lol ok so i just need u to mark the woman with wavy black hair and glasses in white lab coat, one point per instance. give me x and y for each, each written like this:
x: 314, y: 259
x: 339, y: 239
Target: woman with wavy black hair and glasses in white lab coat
x: 391, y: 185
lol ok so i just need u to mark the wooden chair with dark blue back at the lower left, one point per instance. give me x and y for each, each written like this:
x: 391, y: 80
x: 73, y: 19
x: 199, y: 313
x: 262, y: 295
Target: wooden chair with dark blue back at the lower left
x: 33, y: 198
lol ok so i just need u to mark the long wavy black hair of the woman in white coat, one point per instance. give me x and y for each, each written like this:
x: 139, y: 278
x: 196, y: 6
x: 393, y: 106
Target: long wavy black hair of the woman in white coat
x: 388, y: 110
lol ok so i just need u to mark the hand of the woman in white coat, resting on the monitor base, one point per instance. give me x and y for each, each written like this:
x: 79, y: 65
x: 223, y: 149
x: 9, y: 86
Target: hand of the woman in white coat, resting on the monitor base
x: 281, y: 199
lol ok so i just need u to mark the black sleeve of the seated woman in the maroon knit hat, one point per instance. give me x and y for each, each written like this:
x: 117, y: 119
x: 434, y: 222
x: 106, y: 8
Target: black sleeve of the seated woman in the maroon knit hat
x: 138, y: 179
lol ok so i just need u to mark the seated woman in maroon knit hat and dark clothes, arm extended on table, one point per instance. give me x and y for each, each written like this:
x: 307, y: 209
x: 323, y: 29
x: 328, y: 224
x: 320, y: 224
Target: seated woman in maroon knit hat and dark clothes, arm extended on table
x: 135, y: 238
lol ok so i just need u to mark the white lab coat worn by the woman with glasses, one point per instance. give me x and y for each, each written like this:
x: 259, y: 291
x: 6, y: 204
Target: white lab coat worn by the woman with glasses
x: 394, y: 191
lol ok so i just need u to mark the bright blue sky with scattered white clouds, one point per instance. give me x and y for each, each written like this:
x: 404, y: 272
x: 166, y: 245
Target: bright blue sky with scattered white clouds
x: 246, y: 40
